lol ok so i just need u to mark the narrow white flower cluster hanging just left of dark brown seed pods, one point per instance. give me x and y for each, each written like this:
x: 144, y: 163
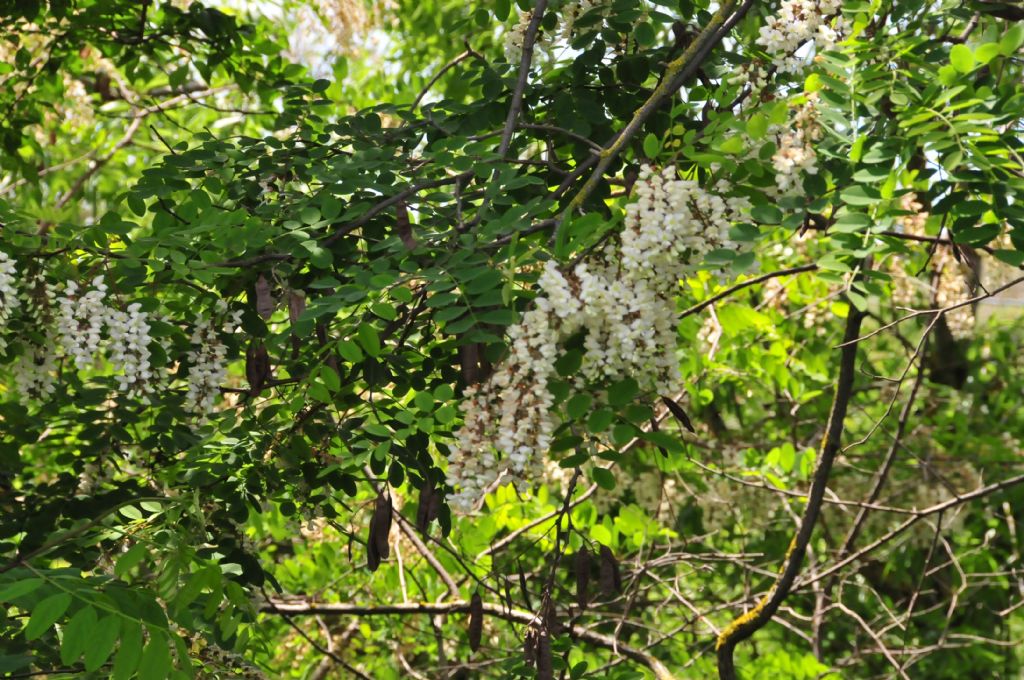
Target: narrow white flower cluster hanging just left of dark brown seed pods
x: 209, y: 362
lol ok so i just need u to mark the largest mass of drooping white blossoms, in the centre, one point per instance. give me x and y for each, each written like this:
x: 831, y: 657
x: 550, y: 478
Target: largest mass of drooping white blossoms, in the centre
x: 624, y: 297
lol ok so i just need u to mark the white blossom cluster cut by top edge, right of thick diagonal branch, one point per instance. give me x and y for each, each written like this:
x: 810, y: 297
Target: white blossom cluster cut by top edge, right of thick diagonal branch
x: 799, y: 23
